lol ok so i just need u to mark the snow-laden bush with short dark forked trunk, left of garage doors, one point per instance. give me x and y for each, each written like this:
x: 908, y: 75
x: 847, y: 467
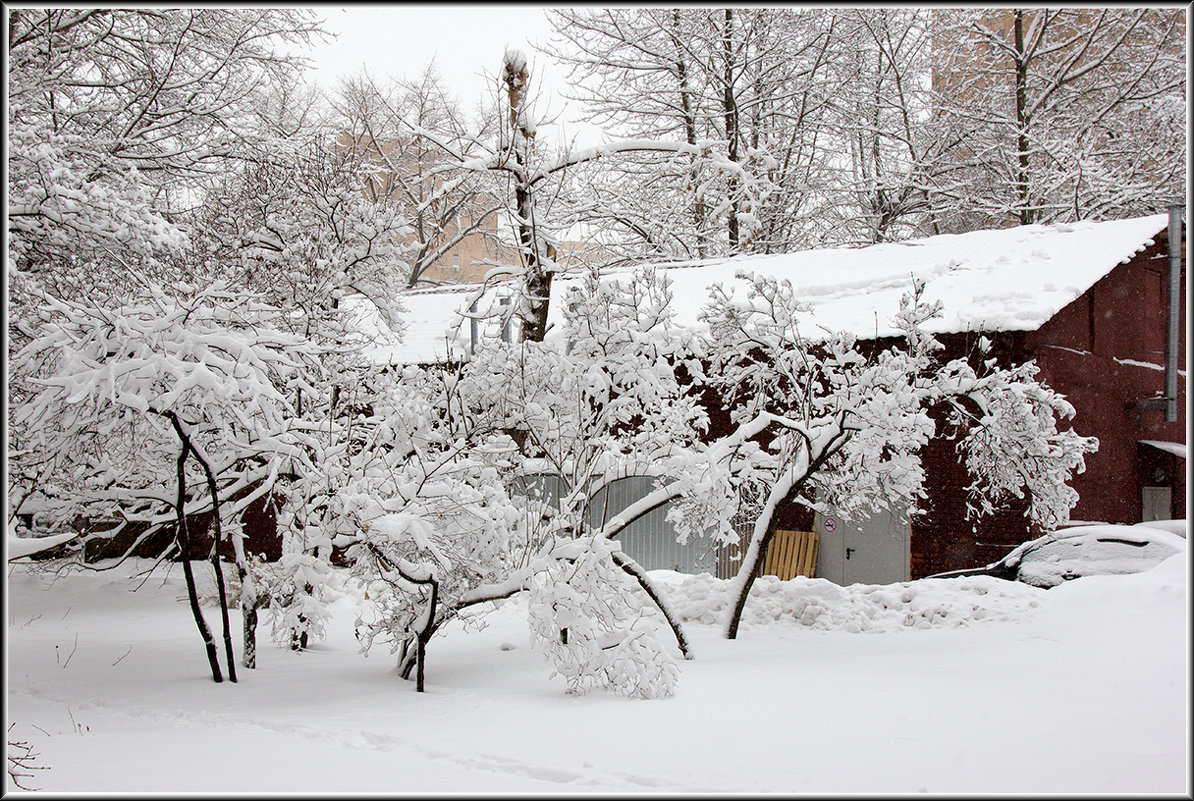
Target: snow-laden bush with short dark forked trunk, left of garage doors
x: 413, y: 491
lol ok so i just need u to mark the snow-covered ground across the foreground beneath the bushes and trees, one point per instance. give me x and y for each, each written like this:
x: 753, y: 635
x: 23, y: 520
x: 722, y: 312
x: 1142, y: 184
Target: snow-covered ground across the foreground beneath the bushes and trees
x: 944, y: 686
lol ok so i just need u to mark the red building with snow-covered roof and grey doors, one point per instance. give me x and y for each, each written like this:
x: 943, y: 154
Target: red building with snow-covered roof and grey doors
x: 1087, y: 301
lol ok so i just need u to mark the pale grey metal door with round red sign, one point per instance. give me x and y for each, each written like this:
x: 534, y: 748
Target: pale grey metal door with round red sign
x: 872, y: 551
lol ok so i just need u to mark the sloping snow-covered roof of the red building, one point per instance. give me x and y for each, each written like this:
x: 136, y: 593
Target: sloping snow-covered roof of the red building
x: 1002, y: 280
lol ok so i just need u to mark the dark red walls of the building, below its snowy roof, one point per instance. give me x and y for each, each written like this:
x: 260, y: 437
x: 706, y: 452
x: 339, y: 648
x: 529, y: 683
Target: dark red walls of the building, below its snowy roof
x: 1105, y: 352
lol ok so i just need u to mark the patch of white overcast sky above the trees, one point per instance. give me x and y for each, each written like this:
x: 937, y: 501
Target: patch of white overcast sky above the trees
x: 466, y: 41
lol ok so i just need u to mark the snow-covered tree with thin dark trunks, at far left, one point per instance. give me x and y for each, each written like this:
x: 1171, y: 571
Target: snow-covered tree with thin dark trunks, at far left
x: 128, y: 397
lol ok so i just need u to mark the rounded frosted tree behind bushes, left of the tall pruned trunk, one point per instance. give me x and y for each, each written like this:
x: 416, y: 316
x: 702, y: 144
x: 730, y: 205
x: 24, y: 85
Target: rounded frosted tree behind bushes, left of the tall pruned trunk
x: 300, y: 221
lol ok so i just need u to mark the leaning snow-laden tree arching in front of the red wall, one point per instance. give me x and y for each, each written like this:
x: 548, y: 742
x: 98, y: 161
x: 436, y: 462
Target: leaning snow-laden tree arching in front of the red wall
x: 846, y: 422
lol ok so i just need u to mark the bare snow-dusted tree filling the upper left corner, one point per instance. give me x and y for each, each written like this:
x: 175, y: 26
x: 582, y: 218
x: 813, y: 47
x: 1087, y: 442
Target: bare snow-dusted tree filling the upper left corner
x: 119, y: 119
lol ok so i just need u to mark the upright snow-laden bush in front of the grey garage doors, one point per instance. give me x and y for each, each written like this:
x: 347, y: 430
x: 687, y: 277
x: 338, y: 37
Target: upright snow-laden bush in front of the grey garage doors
x: 602, y: 400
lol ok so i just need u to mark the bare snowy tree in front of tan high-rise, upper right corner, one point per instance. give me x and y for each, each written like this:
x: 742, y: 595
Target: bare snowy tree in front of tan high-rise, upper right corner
x: 1068, y: 114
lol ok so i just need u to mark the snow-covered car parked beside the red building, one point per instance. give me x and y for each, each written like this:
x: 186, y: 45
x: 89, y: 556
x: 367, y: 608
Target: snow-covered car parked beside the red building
x: 1081, y: 551
